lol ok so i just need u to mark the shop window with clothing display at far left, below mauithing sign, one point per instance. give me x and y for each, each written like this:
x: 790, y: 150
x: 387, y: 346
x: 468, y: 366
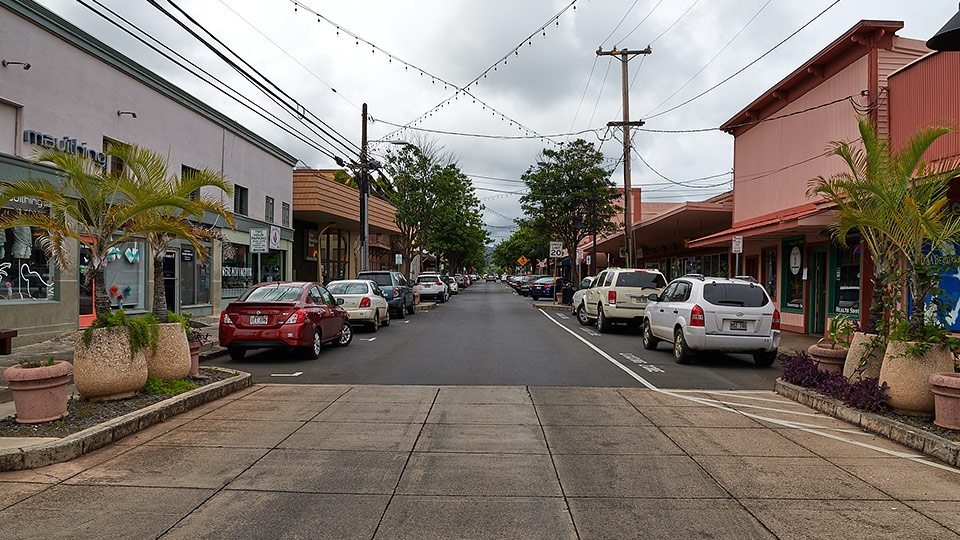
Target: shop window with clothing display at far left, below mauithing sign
x: 25, y: 272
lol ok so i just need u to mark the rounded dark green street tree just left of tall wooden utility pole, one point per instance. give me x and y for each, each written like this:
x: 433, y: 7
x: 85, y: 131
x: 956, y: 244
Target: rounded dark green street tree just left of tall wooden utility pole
x: 562, y: 185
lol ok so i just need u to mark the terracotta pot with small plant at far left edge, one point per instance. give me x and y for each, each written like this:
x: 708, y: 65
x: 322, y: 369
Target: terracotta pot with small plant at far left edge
x: 39, y: 393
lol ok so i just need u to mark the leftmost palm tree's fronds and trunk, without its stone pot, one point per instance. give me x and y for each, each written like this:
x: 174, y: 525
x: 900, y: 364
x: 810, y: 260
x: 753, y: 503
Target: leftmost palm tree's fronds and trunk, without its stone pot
x: 89, y: 206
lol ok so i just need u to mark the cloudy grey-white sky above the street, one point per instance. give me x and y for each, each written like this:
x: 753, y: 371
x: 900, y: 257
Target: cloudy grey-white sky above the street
x: 493, y: 82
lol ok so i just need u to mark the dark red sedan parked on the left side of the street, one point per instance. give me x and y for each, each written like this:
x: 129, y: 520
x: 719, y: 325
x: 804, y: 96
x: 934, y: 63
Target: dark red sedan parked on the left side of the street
x: 292, y: 315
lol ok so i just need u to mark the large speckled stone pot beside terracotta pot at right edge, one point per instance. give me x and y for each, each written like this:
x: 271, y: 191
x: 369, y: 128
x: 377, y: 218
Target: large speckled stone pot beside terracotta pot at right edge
x: 908, y: 376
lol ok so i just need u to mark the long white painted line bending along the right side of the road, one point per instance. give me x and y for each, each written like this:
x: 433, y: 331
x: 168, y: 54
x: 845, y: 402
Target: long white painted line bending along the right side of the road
x: 807, y: 428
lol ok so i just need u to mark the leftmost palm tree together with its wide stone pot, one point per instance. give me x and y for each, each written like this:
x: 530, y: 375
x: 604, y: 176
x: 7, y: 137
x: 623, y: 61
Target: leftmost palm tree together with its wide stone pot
x: 94, y: 208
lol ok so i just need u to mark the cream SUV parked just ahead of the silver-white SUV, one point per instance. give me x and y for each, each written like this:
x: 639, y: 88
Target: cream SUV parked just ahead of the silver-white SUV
x: 620, y: 295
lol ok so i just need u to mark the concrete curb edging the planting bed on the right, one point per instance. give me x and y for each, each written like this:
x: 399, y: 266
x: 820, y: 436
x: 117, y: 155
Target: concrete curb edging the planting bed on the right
x: 928, y: 443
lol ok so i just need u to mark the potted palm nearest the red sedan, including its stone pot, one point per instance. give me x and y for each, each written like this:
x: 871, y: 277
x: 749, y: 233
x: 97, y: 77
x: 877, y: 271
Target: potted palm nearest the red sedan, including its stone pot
x: 161, y: 225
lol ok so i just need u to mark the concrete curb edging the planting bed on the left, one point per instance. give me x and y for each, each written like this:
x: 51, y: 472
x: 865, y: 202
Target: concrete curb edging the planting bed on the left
x: 92, y: 438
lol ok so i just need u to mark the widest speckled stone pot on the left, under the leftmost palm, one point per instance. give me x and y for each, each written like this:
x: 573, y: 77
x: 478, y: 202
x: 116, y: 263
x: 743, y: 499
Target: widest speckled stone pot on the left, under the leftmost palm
x: 106, y: 369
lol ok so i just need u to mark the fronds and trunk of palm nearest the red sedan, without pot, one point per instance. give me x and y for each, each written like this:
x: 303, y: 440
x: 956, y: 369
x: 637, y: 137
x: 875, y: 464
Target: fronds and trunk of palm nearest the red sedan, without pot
x: 147, y: 172
